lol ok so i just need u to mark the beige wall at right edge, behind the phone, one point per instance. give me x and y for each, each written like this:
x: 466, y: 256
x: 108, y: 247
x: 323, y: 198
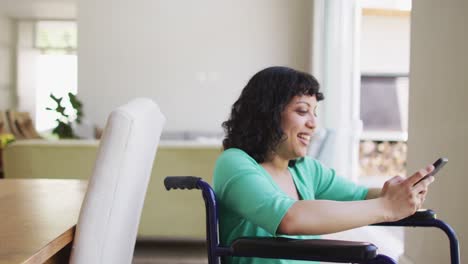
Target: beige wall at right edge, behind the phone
x: 437, y: 120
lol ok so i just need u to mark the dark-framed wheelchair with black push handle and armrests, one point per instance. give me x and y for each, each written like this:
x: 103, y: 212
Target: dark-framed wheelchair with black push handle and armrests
x: 301, y: 249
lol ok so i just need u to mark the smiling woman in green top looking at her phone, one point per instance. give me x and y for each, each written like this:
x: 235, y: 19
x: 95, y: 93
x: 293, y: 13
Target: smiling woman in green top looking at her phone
x: 267, y: 186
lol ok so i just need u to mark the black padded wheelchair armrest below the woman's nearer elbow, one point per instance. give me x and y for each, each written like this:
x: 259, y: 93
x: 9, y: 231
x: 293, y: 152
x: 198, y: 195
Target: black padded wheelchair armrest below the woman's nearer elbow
x: 303, y: 249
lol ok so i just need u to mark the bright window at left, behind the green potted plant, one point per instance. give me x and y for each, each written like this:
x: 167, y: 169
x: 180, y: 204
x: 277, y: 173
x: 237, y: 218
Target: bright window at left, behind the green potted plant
x: 47, y: 65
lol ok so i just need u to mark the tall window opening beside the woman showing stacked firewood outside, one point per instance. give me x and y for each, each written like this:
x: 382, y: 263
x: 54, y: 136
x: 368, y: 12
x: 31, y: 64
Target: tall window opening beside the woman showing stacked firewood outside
x: 385, y: 46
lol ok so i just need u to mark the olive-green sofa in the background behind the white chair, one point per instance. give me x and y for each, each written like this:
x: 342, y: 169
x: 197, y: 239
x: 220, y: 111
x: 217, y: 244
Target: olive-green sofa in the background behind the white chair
x: 166, y: 215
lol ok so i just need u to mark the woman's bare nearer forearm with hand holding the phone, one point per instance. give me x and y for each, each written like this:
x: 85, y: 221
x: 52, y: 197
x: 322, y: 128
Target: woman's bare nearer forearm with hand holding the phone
x: 398, y: 199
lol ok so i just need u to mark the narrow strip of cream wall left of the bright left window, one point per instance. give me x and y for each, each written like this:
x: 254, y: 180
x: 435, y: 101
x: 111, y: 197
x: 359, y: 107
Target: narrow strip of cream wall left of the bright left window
x: 7, y: 43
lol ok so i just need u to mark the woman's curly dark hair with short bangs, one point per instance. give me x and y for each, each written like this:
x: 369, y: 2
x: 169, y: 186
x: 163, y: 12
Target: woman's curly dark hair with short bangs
x: 255, y: 121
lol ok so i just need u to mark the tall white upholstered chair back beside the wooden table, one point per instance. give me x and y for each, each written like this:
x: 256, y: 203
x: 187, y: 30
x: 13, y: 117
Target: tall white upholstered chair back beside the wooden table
x: 109, y: 218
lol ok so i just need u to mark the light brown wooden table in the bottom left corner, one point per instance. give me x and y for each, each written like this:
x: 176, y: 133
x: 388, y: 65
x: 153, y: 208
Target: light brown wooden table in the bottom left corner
x: 38, y: 218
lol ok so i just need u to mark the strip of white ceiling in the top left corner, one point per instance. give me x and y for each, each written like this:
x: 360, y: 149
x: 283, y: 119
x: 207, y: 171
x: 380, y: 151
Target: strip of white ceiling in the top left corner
x: 39, y: 9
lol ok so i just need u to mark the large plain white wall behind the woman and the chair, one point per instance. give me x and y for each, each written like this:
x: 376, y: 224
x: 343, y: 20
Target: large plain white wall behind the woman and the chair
x: 192, y: 57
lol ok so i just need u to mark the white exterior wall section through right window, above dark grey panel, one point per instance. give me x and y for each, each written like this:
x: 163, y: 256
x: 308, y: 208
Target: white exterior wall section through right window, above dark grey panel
x: 385, y: 44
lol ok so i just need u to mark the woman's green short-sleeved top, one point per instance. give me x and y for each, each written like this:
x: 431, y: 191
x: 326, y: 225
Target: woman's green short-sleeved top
x: 250, y: 203
